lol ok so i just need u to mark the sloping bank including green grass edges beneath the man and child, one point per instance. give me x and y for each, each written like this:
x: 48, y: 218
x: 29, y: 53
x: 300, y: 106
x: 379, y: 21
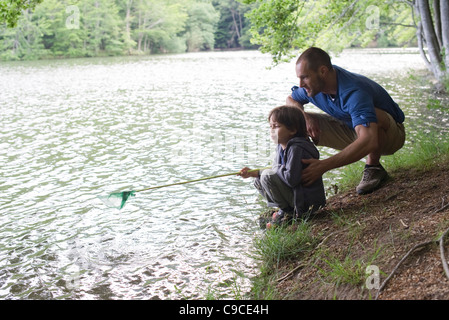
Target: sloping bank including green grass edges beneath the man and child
x: 326, y: 256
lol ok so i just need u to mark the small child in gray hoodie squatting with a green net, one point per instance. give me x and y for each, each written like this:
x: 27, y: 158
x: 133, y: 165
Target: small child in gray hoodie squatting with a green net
x: 281, y: 185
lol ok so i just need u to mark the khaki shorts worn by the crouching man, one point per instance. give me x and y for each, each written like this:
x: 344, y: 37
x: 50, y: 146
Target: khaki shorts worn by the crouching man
x: 337, y: 135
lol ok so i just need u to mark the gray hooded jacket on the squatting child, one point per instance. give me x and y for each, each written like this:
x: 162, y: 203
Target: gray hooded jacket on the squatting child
x: 305, y: 198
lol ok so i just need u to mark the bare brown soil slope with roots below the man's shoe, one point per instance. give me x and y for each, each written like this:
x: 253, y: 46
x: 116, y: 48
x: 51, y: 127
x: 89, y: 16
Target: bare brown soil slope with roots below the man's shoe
x: 377, y: 229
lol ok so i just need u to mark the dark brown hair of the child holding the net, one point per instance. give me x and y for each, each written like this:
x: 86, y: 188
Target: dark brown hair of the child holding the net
x: 292, y: 117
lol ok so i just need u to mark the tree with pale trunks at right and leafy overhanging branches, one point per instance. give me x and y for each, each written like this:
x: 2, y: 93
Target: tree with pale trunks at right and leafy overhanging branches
x: 282, y: 27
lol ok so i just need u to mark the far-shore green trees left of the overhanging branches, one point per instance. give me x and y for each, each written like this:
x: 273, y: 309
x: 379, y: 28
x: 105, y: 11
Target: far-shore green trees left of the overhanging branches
x: 78, y: 28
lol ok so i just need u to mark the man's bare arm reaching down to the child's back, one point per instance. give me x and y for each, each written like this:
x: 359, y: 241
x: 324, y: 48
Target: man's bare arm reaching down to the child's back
x: 367, y: 142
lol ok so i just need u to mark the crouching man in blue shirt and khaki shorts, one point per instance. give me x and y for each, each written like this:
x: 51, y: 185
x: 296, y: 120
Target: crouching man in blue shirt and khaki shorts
x: 361, y: 119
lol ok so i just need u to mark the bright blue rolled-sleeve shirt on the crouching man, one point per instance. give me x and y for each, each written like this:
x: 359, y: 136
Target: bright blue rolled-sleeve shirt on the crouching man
x: 354, y: 103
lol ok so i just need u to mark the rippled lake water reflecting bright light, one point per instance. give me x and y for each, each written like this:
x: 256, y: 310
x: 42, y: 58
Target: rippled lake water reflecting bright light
x: 72, y: 130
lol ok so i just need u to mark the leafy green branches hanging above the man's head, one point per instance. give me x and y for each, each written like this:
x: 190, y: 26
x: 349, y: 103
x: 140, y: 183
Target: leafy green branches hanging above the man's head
x: 284, y: 27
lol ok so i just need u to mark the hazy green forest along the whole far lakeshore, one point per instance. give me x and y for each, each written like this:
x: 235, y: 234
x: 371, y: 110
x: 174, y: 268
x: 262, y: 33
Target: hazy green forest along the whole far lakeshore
x: 86, y: 28
